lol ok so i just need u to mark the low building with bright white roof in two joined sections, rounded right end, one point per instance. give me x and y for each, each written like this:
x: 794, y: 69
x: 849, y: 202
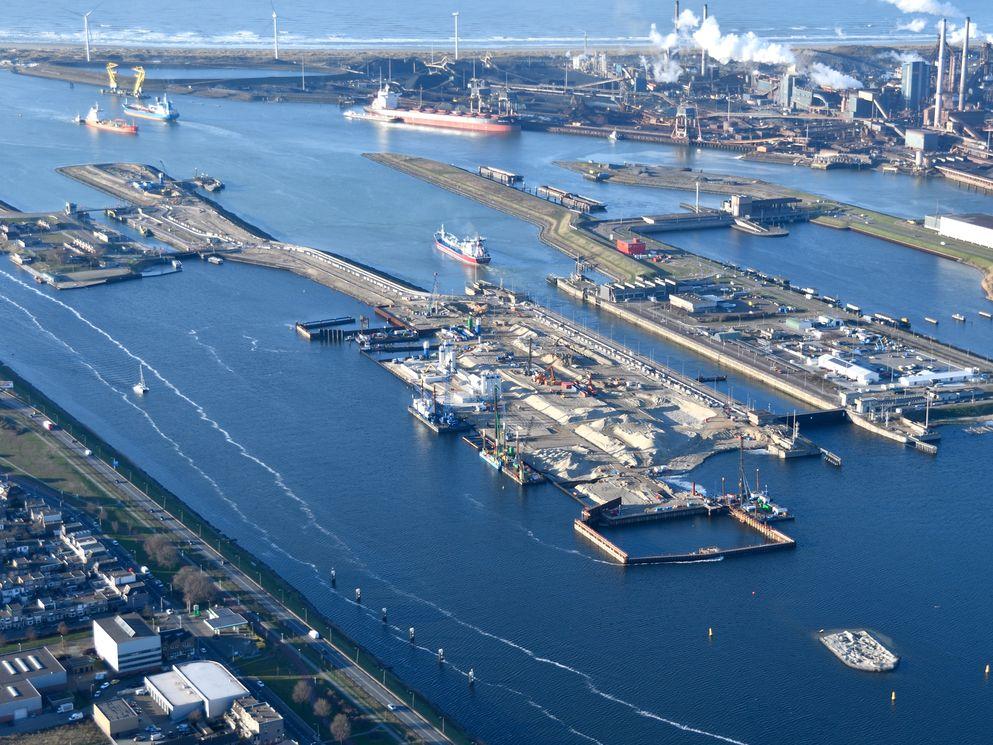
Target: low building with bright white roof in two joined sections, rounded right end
x: 207, y: 687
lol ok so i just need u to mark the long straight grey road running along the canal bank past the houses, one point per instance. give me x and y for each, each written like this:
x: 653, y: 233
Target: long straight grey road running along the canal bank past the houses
x: 201, y: 552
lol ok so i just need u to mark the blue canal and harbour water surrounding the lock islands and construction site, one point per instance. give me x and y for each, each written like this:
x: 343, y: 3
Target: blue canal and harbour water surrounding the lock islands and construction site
x: 306, y: 454
